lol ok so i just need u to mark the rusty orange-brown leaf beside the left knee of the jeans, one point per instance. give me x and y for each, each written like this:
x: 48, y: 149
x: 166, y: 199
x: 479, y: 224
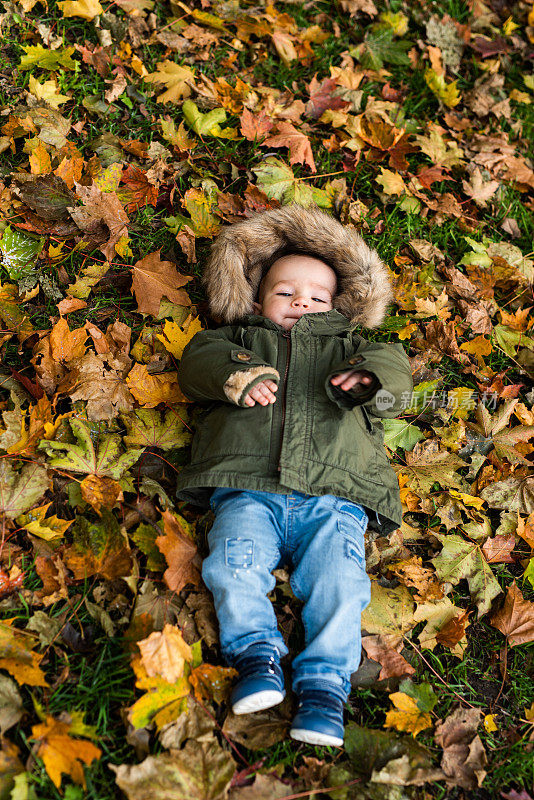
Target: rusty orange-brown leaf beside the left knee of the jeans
x: 180, y: 552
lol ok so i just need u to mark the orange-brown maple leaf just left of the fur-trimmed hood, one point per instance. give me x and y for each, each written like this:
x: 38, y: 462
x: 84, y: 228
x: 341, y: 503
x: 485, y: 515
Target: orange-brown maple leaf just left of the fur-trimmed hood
x: 154, y: 279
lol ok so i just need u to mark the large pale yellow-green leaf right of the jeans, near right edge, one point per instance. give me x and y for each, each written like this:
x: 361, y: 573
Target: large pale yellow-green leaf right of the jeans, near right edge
x: 462, y: 559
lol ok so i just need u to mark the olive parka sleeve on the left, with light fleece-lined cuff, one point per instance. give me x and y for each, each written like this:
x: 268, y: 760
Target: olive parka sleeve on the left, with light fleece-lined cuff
x: 215, y: 367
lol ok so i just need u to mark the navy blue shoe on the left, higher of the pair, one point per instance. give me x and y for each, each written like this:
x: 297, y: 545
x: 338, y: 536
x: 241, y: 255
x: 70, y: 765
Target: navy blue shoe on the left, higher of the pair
x: 261, y: 680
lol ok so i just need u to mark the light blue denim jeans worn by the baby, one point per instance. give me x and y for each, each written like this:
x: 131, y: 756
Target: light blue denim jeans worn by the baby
x: 322, y: 539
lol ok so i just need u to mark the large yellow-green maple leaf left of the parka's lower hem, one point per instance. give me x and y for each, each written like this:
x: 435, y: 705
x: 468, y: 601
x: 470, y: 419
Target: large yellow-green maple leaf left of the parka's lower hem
x: 102, y: 459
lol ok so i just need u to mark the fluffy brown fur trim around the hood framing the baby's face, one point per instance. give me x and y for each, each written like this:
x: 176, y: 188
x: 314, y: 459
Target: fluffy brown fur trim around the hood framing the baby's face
x: 243, y: 252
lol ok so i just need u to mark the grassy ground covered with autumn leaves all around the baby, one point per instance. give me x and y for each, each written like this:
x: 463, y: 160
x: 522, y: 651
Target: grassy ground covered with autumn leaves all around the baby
x: 130, y: 134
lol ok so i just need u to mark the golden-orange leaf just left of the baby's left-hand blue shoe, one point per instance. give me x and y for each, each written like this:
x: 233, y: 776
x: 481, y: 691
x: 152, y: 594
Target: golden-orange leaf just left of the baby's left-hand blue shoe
x: 165, y: 654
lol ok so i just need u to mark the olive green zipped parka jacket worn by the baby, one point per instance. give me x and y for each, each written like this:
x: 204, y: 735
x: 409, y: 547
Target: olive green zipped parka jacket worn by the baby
x: 315, y: 438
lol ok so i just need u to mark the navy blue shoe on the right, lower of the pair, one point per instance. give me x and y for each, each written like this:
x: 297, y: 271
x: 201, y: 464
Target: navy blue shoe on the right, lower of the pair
x: 319, y: 719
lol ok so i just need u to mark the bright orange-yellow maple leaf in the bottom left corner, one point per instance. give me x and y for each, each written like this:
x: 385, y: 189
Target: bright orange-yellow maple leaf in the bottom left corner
x: 61, y: 754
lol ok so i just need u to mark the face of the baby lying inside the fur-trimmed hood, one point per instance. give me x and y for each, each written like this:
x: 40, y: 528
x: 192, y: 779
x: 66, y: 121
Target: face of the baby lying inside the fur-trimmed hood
x: 296, y: 285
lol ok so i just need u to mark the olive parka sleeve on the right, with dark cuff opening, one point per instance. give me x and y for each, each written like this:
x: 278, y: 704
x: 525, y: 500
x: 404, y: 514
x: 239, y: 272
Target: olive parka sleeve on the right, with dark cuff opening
x: 392, y: 384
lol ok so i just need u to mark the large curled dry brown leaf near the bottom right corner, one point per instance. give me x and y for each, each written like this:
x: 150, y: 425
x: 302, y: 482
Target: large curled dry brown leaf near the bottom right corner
x: 464, y: 758
